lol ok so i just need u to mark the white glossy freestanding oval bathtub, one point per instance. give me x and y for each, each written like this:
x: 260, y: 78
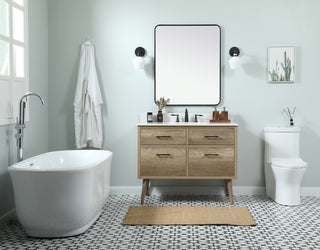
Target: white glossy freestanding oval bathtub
x: 61, y: 193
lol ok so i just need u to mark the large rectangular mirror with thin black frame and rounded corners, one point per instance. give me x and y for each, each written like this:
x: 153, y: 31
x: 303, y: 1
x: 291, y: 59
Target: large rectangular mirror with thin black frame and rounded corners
x: 187, y: 64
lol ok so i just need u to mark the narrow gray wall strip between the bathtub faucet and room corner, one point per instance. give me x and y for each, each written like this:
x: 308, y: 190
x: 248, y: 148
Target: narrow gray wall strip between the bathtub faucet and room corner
x: 36, y: 133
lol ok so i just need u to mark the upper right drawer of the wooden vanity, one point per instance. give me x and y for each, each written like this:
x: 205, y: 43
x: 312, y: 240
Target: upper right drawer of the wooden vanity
x: 212, y: 136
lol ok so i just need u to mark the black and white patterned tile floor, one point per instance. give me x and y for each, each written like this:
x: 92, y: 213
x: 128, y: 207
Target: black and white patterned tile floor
x: 278, y: 227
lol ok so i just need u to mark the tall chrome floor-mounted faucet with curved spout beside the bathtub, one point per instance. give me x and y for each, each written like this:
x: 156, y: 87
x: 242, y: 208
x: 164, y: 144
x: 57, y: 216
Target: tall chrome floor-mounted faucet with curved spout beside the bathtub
x: 21, y: 124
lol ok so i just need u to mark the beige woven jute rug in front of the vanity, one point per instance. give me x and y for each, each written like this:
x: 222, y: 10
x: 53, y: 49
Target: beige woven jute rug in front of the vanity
x: 185, y: 215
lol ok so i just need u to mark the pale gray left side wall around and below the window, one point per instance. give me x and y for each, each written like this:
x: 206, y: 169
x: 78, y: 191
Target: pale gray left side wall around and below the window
x: 36, y: 133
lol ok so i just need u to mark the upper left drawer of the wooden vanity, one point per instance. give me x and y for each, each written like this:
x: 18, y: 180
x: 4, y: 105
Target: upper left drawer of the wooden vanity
x: 161, y: 136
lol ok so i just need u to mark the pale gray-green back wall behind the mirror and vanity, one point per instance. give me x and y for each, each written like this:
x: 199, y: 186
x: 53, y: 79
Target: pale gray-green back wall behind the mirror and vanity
x: 118, y: 27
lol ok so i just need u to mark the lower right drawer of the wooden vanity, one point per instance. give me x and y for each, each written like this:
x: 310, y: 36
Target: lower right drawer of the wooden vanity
x: 211, y: 161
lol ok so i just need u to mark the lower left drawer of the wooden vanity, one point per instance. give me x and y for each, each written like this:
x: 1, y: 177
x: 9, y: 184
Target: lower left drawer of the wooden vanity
x: 162, y: 161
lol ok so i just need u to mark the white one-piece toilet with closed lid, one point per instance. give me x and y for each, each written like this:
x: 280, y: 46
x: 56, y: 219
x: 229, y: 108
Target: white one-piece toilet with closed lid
x: 284, y: 168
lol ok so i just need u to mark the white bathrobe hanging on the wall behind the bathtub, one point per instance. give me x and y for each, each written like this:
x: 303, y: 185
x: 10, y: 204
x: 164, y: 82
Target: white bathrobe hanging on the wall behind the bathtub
x: 87, y: 102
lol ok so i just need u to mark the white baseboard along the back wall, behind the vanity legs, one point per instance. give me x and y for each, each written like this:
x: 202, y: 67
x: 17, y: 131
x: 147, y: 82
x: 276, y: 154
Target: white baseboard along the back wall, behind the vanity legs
x: 180, y: 190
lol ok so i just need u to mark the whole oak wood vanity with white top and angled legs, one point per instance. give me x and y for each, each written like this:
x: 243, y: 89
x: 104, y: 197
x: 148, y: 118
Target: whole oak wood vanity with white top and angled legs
x: 187, y: 151
